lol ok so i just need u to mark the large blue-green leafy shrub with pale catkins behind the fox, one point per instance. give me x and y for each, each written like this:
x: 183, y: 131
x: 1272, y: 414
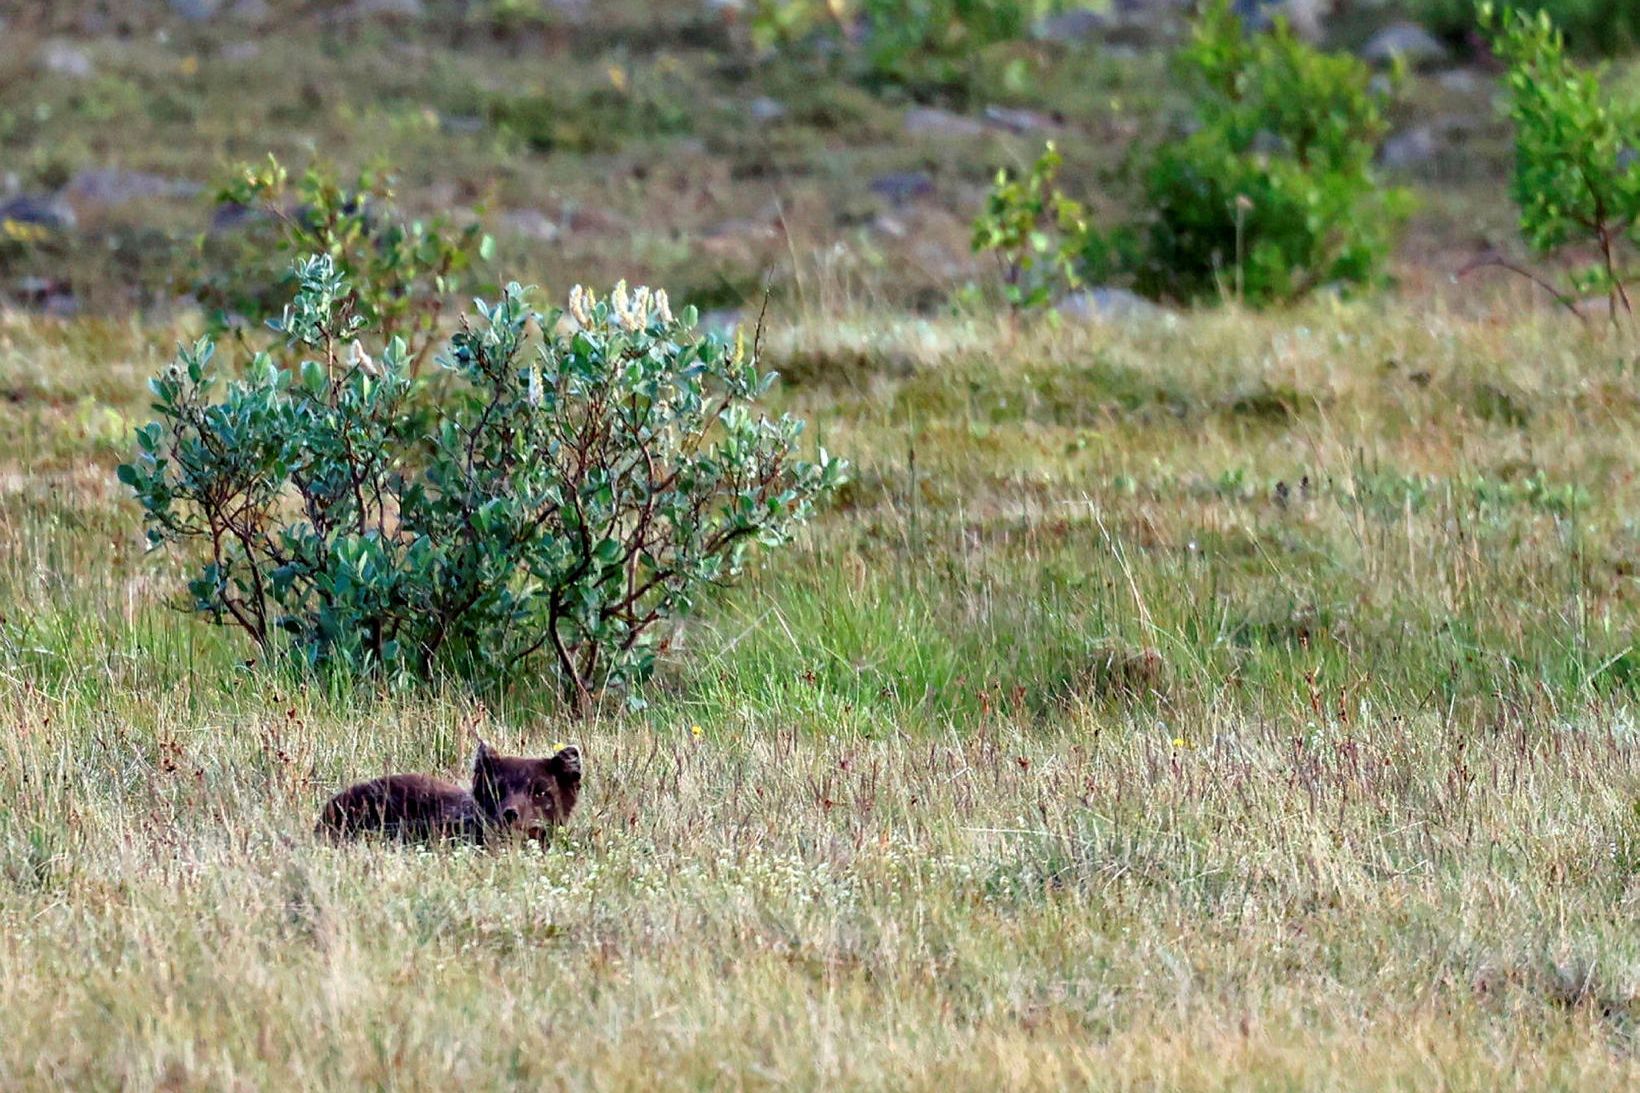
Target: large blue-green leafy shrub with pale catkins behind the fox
x: 573, y: 495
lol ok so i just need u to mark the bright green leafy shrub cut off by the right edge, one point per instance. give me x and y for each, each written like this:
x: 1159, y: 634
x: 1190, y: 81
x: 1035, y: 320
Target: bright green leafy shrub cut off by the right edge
x: 1577, y: 176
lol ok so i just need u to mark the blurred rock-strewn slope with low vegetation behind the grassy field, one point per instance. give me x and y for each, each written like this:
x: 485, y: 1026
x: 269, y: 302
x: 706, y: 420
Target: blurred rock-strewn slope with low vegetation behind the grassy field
x: 714, y: 147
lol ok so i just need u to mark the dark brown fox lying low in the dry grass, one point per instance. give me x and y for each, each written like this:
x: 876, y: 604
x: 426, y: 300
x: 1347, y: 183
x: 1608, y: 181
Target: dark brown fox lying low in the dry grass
x: 509, y: 797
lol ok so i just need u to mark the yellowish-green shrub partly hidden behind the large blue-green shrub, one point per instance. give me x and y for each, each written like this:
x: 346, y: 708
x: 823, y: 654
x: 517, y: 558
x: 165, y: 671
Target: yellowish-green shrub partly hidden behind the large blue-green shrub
x: 403, y: 273
